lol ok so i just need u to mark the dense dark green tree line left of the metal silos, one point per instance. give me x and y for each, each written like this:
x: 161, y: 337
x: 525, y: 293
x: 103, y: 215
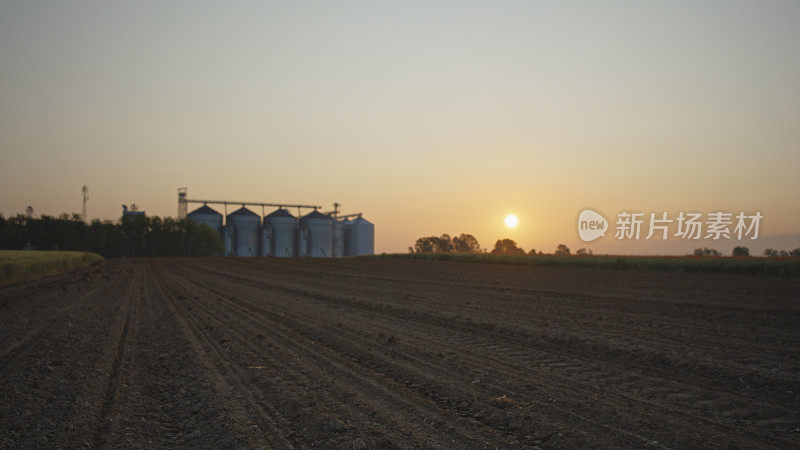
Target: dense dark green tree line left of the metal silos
x: 131, y: 236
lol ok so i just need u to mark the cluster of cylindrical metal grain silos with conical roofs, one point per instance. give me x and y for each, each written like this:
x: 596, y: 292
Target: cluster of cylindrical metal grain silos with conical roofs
x: 280, y: 234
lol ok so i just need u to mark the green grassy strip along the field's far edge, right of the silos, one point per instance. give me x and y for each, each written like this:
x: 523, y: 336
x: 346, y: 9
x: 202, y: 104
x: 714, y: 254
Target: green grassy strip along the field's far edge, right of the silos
x: 685, y: 264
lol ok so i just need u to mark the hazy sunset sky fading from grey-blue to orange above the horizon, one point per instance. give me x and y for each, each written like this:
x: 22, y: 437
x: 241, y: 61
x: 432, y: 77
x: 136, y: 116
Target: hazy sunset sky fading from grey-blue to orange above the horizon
x: 429, y: 117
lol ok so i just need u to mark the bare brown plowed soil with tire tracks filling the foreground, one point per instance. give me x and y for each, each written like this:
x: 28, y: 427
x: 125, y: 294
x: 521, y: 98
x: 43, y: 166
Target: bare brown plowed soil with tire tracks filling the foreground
x: 382, y: 353
